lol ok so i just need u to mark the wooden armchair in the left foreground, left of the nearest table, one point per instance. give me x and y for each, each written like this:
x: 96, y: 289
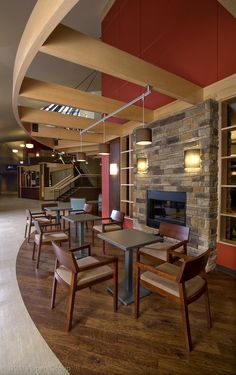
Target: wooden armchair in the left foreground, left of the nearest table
x: 76, y: 274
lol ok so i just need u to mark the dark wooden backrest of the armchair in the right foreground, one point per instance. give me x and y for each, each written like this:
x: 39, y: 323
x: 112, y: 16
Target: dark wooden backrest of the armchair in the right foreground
x: 193, y: 267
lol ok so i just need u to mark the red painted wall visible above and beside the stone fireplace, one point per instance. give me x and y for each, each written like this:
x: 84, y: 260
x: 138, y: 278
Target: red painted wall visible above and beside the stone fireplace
x: 193, y: 39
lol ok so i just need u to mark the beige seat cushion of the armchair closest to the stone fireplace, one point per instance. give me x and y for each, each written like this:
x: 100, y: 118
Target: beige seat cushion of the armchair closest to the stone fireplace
x: 159, y: 249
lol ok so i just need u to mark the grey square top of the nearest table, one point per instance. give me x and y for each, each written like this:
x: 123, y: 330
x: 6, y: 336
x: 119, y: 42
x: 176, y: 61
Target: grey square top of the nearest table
x: 128, y: 239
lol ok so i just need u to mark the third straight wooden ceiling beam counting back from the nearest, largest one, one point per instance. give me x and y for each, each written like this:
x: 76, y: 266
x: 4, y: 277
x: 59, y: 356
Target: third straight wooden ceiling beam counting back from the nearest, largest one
x: 33, y: 115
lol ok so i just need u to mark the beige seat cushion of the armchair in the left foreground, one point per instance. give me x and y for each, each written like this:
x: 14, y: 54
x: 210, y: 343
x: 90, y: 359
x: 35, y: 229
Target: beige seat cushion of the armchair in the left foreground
x: 85, y: 276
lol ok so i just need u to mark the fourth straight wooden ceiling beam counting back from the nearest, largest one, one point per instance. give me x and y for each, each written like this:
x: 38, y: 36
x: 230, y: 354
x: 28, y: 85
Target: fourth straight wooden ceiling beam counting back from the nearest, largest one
x: 56, y: 133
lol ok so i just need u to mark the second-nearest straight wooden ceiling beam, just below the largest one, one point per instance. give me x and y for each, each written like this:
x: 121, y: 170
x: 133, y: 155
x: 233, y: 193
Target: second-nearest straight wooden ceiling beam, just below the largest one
x: 58, y: 94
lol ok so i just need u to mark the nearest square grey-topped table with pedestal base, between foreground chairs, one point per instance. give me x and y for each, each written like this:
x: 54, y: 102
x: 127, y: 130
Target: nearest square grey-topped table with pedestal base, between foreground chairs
x: 128, y: 240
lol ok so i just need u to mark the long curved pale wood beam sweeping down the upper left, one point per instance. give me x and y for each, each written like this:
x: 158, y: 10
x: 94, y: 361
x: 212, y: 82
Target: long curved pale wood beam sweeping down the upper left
x: 45, y: 17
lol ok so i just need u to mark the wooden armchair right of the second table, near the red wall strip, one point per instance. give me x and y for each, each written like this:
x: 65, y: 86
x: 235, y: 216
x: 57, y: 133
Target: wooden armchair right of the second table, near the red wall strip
x: 109, y: 224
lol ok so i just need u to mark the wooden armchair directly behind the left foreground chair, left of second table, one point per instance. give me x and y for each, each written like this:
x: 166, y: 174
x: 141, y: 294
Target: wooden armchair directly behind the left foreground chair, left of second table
x: 44, y: 236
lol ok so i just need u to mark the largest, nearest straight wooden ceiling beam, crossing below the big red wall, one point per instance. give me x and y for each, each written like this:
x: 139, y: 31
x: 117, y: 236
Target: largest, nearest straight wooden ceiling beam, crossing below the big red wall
x: 71, y: 45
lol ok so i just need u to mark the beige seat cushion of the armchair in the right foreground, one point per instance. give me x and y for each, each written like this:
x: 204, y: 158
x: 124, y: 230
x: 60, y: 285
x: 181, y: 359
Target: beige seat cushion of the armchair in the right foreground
x: 192, y: 286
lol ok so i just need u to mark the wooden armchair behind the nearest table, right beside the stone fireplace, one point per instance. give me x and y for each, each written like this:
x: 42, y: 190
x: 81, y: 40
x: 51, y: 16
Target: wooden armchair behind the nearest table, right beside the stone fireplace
x: 174, y: 237
